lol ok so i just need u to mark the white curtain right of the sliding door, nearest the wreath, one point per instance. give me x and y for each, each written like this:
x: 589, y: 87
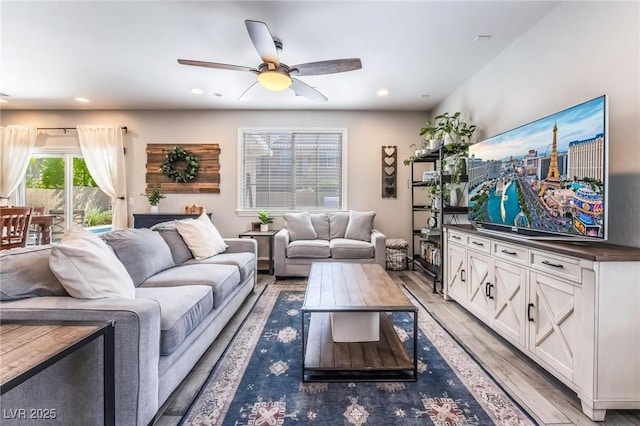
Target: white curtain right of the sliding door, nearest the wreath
x: 103, y: 151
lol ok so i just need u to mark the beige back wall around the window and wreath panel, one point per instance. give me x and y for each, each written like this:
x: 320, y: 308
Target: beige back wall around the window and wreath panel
x: 367, y: 133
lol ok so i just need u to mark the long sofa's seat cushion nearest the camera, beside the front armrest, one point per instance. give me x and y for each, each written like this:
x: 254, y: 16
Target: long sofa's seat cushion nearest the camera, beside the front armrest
x: 181, y: 310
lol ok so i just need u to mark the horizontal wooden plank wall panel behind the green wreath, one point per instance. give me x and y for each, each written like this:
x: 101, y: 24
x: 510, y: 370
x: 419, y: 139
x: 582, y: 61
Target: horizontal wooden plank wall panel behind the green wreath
x: 207, y: 181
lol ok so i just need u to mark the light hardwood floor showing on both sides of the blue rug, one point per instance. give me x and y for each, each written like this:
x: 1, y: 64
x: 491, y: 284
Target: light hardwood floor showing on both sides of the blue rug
x: 547, y: 400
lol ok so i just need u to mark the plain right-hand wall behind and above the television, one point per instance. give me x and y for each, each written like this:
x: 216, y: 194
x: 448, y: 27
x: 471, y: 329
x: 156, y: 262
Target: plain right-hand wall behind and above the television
x: 579, y: 51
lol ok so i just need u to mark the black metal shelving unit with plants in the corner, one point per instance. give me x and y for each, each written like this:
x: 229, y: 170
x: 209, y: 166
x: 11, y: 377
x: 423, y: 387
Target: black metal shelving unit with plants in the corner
x: 431, y: 262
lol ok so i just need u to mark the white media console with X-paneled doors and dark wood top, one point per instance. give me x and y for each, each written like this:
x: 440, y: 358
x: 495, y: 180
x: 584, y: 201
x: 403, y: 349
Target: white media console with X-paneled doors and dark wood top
x: 572, y: 308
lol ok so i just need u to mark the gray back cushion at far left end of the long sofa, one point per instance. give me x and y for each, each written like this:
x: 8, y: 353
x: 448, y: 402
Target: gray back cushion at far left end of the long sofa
x: 25, y: 272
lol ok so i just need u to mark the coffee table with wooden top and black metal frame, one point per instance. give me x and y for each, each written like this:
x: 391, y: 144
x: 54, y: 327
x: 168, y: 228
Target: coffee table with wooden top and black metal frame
x: 355, y: 288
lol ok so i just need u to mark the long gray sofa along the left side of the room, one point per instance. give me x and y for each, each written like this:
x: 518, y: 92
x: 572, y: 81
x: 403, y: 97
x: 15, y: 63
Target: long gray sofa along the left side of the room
x: 180, y: 307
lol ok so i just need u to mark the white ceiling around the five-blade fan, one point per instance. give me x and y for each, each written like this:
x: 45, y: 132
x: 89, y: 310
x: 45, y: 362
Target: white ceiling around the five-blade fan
x: 122, y: 54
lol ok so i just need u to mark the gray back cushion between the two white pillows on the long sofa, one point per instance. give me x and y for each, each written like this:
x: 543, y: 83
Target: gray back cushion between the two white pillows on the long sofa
x: 142, y: 251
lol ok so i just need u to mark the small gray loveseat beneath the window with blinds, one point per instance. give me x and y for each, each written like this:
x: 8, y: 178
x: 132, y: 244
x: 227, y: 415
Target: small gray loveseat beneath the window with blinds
x: 326, y: 237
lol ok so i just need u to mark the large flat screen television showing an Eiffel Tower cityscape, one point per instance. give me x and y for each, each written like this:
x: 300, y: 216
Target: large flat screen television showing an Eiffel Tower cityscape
x: 545, y: 179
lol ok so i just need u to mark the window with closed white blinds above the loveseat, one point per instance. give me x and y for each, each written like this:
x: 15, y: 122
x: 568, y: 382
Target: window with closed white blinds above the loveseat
x: 292, y: 170
